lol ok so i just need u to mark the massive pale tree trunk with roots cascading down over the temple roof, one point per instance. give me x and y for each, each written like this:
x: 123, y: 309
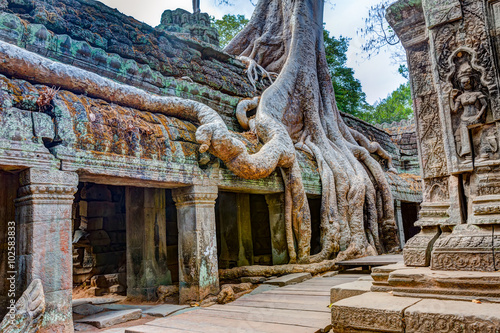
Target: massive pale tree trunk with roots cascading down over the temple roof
x: 357, y: 214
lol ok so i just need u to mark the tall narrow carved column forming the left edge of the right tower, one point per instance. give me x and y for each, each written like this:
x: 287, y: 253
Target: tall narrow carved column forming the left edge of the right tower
x: 434, y: 210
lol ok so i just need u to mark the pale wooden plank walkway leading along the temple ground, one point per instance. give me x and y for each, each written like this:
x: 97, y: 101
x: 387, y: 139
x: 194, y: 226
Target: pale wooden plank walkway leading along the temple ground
x: 299, y: 308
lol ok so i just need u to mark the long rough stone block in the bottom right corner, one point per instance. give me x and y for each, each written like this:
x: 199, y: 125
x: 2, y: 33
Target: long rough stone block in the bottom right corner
x: 431, y: 315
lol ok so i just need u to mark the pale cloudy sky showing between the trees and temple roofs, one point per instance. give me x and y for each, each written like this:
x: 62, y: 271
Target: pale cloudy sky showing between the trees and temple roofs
x: 378, y: 75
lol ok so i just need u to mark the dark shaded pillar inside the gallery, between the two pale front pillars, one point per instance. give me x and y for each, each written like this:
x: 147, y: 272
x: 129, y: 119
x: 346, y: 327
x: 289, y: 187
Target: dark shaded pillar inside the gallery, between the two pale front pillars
x: 146, y: 242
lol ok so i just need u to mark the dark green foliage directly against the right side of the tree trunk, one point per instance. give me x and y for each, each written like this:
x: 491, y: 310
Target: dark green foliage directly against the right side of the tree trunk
x: 348, y: 91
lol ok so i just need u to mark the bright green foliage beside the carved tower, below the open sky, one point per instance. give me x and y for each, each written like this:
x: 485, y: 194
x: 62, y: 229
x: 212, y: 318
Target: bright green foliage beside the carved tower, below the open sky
x: 395, y: 107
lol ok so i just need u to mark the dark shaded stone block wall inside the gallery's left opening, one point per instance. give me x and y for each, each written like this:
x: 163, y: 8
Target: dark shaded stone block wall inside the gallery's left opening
x: 99, y: 231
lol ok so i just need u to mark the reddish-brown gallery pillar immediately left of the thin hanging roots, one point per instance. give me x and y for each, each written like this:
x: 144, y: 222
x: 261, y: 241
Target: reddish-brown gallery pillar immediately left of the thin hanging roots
x: 276, y: 204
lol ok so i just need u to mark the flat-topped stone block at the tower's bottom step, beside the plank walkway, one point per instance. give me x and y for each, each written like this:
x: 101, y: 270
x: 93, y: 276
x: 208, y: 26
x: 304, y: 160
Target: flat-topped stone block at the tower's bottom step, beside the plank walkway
x: 379, y: 312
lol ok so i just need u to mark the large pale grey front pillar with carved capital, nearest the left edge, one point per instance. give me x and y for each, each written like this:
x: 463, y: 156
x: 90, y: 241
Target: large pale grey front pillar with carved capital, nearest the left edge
x: 43, y: 215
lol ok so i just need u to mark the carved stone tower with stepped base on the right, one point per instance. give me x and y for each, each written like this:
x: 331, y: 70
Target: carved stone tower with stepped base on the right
x: 450, y: 279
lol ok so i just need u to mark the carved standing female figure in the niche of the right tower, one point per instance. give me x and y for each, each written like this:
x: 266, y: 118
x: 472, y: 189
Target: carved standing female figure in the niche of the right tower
x: 469, y: 101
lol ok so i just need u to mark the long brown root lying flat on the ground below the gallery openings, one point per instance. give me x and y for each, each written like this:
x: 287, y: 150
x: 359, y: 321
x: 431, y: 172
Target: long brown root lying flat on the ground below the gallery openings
x: 316, y: 268
